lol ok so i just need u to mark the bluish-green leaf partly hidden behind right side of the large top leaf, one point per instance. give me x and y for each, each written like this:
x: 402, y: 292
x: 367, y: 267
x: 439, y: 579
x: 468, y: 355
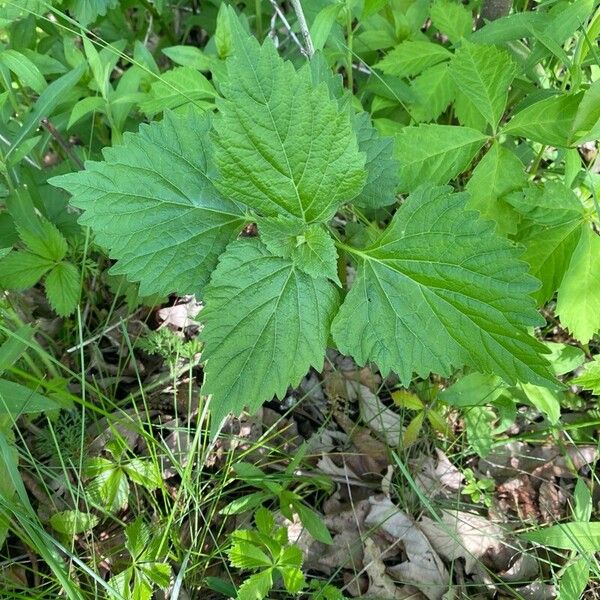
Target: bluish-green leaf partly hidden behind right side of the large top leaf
x: 382, y: 168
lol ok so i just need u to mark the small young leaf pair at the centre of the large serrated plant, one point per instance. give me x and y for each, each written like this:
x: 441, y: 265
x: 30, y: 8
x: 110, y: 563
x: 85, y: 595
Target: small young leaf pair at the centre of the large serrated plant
x: 310, y: 247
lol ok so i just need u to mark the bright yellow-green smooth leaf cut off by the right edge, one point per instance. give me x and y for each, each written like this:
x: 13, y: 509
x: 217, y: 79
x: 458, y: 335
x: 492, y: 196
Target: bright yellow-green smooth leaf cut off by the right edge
x: 578, y: 303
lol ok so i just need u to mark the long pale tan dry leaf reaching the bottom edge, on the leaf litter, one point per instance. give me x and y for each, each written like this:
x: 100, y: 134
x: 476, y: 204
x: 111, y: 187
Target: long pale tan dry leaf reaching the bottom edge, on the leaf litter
x: 424, y: 568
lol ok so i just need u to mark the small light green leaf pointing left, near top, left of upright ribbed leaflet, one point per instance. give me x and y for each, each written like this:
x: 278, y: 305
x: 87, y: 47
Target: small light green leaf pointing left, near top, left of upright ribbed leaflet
x: 412, y: 57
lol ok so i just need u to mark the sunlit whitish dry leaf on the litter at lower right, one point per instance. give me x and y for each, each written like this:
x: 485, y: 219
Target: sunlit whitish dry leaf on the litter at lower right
x: 468, y: 536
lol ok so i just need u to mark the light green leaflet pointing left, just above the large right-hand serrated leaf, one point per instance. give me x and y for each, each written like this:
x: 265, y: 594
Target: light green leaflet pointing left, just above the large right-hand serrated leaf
x: 434, y: 153
